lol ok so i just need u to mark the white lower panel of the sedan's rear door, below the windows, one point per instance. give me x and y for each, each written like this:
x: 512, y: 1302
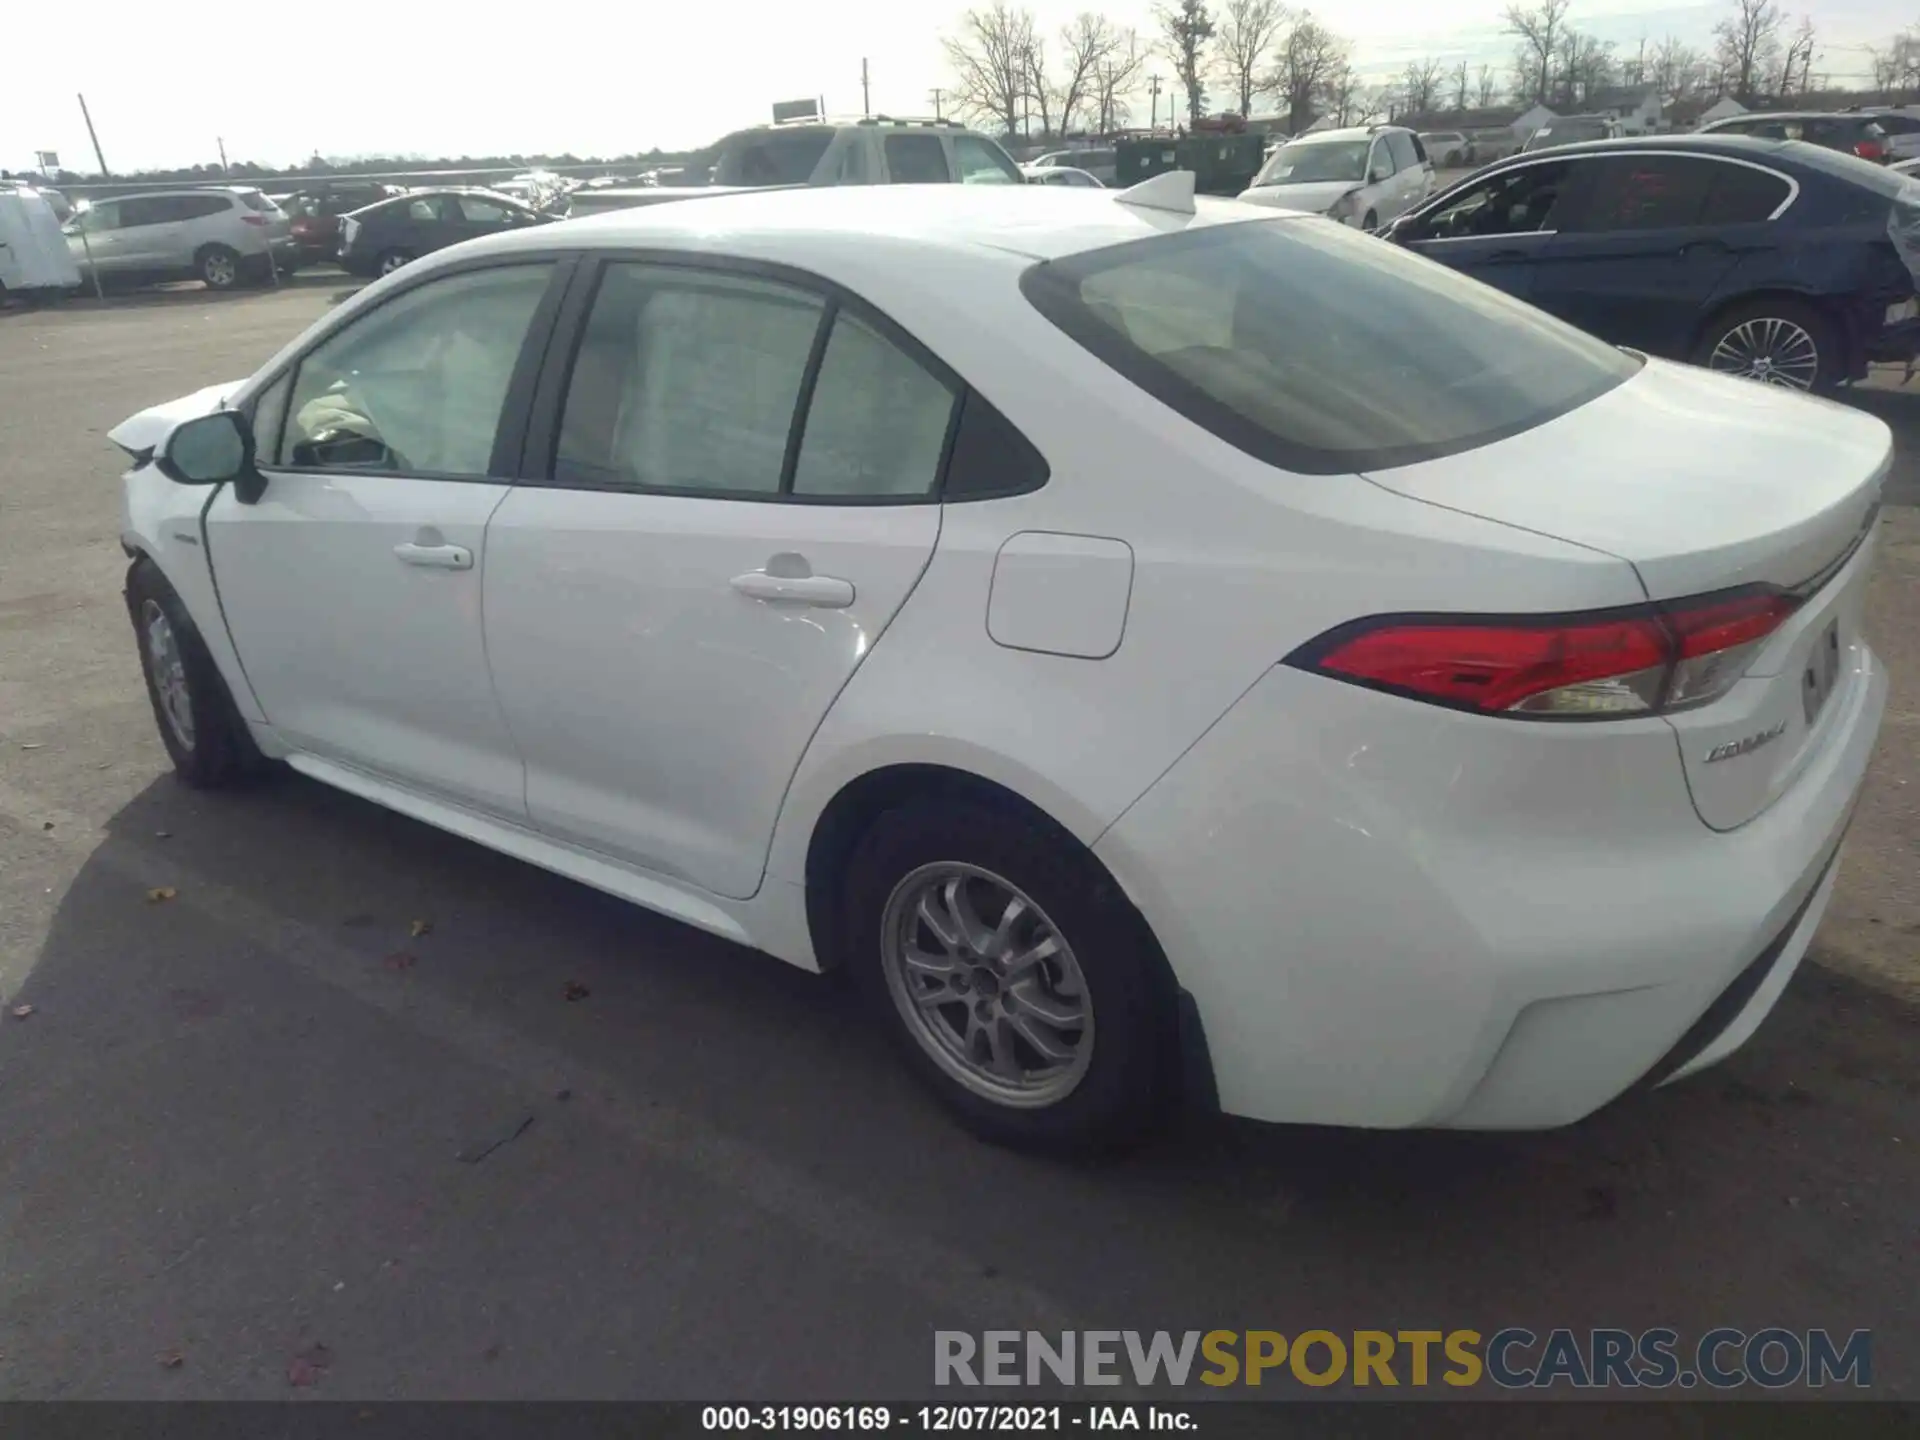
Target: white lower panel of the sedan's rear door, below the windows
x: 688, y: 694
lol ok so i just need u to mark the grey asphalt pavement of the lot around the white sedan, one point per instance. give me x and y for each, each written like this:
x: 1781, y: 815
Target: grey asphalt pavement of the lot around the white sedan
x: 316, y: 1101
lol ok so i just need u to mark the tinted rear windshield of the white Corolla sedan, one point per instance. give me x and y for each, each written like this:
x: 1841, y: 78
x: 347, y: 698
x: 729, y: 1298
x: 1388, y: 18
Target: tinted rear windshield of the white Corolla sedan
x: 1318, y: 348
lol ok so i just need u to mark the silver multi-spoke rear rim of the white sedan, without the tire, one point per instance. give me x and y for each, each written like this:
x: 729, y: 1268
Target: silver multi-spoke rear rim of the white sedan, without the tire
x: 988, y: 986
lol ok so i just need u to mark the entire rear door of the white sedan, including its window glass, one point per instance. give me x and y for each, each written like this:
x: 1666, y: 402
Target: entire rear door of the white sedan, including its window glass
x: 698, y: 571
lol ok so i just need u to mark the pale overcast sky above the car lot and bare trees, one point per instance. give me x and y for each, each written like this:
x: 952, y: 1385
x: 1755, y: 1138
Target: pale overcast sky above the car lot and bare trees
x: 588, y: 78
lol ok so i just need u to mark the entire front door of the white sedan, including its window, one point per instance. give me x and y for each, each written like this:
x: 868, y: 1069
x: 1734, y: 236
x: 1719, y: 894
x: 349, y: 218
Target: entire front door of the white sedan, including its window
x: 352, y: 588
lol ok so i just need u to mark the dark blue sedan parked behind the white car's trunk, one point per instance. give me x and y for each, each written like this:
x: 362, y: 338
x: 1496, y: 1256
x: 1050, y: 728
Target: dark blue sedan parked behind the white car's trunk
x: 1765, y: 258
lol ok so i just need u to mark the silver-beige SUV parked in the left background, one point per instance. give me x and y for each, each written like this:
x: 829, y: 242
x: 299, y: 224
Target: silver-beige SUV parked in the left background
x: 216, y: 235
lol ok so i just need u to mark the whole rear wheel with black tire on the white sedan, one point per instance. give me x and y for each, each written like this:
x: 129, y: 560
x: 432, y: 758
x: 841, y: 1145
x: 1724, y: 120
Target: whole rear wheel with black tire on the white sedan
x: 1017, y: 980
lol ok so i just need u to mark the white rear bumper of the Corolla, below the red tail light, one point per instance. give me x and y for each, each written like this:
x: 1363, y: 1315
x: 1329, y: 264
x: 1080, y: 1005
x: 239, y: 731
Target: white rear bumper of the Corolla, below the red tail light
x: 1397, y: 917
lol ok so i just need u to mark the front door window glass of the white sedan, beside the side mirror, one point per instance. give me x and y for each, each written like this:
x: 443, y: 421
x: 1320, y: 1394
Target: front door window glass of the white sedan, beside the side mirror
x: 418, y: 385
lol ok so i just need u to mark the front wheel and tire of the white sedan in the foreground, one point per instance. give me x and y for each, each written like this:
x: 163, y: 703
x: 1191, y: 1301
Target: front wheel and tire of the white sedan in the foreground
x: 204, y: 734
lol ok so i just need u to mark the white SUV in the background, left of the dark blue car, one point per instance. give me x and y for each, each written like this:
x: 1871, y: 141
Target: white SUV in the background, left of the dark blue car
x: 1364, y: 176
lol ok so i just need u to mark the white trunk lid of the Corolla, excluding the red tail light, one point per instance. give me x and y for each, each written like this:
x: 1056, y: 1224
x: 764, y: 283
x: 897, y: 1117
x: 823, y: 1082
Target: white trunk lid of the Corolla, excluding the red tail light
x: 1704, y: 485
